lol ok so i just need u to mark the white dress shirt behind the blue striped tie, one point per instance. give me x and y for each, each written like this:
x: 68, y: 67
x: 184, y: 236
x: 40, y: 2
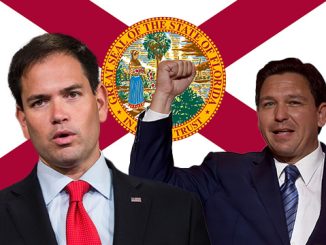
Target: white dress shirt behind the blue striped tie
x: 309, y: 185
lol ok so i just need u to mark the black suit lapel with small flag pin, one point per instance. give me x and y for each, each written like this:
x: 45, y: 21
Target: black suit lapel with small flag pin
x: 131, y: 209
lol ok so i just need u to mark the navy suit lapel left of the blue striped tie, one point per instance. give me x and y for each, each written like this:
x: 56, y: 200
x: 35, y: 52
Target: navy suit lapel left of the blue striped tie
x: 266, y: 184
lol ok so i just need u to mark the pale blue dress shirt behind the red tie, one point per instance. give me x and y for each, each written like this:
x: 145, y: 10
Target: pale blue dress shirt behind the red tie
x: 98, y: 202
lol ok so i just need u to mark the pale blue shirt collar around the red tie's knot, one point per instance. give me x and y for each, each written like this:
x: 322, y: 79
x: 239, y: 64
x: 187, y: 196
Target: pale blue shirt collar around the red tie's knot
x: 52, y: 182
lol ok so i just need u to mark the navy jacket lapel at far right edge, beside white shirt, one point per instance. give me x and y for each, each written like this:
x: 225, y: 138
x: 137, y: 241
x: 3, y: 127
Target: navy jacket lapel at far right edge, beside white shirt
x: 318, y: 235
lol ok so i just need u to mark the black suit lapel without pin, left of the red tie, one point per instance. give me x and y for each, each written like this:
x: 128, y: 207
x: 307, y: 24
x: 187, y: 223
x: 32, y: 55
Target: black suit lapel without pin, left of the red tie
x: 27, y: 209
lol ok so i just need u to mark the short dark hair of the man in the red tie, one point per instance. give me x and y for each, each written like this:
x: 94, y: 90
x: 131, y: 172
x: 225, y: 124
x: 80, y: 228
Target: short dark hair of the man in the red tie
x: 41, y: 47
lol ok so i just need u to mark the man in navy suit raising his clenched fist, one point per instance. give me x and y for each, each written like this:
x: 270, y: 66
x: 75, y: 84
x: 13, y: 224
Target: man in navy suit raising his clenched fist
x: 276, y: 196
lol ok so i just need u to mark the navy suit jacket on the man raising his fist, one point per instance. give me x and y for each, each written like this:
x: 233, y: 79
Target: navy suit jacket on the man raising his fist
x: 239, y: 192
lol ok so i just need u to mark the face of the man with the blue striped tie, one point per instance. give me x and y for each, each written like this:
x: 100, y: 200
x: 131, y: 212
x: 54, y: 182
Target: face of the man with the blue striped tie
x: 288, y: 117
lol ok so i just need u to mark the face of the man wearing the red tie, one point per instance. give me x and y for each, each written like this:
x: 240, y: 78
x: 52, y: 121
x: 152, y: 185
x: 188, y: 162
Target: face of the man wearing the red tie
x: 61, y: 115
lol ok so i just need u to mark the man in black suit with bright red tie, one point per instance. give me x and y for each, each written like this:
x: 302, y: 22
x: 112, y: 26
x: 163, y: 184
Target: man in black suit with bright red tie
x: 74, y: 195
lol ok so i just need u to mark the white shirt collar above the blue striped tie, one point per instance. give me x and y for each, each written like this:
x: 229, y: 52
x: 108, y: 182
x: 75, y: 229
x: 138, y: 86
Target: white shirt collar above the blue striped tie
x: 307, y: 166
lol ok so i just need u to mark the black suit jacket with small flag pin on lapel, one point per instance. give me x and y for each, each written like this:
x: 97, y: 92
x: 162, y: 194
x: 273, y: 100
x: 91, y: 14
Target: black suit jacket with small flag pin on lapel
x: 164, y: 216
